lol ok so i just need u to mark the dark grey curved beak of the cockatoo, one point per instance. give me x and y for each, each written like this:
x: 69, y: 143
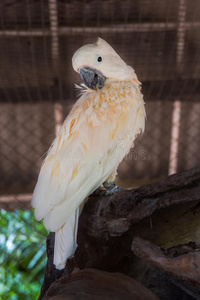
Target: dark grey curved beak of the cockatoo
x: 92, y: 78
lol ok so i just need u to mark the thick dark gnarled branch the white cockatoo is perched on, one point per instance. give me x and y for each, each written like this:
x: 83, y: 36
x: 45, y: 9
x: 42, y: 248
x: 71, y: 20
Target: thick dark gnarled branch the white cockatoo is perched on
x: 166, y: 213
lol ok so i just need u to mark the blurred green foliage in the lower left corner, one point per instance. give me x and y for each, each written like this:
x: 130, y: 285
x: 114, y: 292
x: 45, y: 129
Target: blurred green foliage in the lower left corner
x: 22, y: 255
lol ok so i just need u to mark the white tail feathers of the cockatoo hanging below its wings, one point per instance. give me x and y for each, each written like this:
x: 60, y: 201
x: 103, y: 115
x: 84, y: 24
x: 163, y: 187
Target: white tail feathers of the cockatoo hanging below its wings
x: 66, y: 241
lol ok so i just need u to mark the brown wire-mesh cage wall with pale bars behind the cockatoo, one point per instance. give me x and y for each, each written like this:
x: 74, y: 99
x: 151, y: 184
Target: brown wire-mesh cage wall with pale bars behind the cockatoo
x: 160, y: 39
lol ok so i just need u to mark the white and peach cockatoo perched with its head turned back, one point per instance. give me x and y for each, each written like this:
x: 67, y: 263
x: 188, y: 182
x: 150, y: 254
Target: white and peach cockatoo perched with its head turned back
x: 93, y: 140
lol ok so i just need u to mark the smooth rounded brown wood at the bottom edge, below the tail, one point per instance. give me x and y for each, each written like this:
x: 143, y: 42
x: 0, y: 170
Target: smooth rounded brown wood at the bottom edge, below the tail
x: 101, y: 285
